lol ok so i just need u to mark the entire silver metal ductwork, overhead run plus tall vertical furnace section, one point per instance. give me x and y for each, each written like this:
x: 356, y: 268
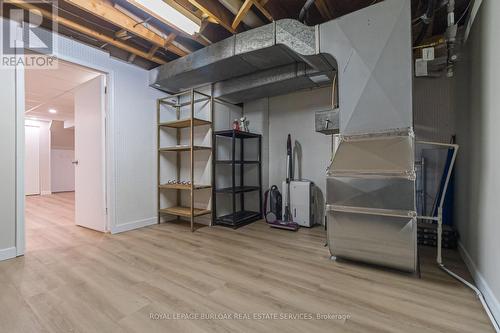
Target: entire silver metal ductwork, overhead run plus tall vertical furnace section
x: 370, y: 186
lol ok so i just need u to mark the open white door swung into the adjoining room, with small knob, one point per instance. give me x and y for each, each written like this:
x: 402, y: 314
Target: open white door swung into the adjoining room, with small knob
x: 90, y: 193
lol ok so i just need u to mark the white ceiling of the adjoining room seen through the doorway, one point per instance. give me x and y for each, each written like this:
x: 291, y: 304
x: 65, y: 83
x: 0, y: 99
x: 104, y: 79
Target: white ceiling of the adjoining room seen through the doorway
x: 53, y: 89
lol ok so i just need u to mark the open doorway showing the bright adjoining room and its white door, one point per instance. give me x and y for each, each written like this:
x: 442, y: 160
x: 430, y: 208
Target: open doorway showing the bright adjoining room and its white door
x: 64, y: 155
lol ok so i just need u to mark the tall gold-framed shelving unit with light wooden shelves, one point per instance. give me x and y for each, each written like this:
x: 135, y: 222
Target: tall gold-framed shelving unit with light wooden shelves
x: 176, y: 102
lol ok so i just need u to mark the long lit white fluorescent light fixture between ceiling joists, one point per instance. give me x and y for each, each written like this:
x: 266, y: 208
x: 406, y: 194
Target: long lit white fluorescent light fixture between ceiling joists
x: 168, y: 14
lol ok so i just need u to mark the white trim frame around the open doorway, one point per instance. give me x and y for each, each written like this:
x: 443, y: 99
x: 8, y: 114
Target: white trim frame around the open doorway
x: 109, y: 167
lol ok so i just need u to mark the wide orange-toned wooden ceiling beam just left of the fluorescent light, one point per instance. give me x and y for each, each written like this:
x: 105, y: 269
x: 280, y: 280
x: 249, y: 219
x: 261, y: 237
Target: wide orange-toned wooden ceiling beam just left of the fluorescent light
x: 106, y: 11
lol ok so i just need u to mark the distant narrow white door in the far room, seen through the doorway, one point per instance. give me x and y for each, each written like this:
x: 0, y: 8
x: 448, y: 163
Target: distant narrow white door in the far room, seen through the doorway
x: 32, y: 160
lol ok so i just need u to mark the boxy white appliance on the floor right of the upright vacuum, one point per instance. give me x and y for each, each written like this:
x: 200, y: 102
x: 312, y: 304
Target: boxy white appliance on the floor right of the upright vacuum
x: 301, y: 202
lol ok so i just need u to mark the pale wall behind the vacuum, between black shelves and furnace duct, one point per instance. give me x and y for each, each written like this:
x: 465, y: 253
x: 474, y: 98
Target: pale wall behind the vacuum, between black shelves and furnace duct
x: 292, y: 113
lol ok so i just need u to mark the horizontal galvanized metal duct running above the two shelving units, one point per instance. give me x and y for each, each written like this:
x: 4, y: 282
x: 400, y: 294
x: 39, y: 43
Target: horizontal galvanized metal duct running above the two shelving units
x: 258, y: 55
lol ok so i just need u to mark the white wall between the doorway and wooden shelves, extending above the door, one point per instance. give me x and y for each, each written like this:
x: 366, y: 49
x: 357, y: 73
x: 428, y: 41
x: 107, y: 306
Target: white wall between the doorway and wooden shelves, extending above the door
x: 133, y: 120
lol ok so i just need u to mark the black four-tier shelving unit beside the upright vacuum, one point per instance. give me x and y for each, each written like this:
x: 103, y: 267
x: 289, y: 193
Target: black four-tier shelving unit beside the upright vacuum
x: 238, y: 217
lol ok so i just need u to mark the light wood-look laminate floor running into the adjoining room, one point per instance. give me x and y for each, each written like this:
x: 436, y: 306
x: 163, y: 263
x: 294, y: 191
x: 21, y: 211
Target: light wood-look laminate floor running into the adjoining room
x: 247, y: 280
